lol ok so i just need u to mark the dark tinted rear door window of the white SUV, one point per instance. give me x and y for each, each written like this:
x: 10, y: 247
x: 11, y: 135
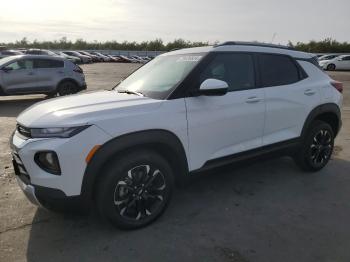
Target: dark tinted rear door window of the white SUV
x: 277, y: 70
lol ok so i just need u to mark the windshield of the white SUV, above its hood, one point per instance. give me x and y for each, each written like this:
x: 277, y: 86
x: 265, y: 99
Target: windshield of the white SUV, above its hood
x: 159, y: 77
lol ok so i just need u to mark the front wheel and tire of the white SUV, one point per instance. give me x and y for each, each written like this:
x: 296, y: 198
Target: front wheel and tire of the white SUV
x: 135, y: 189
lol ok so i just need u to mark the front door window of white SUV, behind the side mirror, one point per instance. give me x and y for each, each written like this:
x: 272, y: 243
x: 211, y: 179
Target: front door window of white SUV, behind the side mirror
x: 235, y: 69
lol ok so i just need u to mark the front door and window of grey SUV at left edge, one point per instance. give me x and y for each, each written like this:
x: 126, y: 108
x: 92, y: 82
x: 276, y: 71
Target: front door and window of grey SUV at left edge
x: 21, y: 78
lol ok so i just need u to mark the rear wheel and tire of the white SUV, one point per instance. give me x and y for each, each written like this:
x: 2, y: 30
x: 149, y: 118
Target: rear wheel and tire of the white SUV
x: 317, y: 147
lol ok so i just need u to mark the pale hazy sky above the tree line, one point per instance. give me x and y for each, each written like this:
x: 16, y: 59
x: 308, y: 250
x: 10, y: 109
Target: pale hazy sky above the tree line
x: 195, y: 20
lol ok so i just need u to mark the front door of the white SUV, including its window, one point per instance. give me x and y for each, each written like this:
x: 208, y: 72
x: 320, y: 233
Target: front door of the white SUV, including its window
x: 220, y: 126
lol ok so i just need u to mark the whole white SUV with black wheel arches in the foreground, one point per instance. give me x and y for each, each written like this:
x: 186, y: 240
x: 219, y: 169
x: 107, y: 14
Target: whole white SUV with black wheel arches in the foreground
x: 185, y: 111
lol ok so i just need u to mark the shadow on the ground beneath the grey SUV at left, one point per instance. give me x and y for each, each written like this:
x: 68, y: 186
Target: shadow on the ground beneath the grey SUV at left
x: 12, y: 107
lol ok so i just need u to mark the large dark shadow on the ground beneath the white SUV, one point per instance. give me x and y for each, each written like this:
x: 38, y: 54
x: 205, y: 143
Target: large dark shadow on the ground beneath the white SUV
x: 265, y: 210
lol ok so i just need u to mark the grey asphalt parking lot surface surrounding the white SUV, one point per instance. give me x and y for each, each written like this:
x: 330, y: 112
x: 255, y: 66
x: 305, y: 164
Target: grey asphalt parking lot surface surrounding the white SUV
x: 266, y: 210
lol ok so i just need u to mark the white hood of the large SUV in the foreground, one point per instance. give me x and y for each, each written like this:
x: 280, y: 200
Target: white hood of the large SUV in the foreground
x: 81, y: 109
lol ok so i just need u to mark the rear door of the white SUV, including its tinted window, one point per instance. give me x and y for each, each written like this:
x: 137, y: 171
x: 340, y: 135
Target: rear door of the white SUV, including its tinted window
x: 290, y: 96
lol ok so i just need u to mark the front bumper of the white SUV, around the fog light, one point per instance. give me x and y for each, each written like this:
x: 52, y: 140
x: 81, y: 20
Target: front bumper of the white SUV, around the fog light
x: 71, y: 153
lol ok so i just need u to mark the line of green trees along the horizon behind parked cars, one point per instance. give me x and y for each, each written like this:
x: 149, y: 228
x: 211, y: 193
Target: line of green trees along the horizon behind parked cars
x: 327, y: 45
